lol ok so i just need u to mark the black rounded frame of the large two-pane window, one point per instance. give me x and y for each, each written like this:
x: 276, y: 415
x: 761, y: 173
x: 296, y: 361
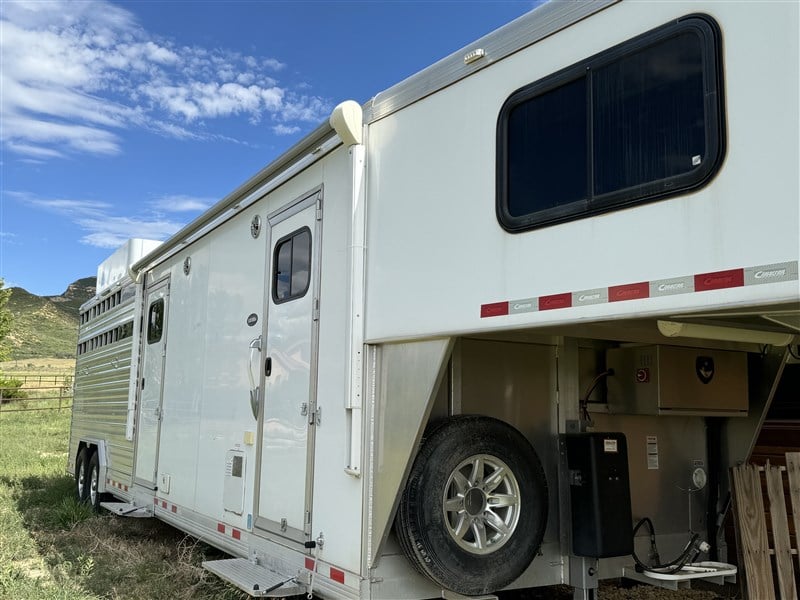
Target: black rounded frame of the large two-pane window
x: 710, y: 38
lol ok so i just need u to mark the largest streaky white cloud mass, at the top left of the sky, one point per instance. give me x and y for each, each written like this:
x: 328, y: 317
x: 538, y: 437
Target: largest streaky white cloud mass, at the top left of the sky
x: 76, y: 75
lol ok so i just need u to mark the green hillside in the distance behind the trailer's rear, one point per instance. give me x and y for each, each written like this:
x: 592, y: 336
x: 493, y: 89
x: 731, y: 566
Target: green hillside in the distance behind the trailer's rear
x: 47, y: 326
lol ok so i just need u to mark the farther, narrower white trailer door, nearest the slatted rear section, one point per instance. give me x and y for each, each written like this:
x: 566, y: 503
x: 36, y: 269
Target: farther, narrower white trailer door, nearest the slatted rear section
x: 151, y: 382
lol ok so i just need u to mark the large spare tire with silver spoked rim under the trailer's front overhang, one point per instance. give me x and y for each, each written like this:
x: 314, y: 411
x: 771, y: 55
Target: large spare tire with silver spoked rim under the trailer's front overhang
x: 474, y: 511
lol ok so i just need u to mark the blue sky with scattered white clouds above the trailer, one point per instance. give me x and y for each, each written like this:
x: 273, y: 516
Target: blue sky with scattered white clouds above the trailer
x: 128, y: 119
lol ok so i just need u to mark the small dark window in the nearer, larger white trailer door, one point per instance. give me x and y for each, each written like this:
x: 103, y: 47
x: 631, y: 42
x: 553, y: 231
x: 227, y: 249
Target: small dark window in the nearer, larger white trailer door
x: 291, y: 266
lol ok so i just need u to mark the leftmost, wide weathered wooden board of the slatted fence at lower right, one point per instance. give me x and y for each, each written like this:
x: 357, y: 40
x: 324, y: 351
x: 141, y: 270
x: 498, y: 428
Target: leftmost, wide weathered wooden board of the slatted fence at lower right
x: 753, y: 532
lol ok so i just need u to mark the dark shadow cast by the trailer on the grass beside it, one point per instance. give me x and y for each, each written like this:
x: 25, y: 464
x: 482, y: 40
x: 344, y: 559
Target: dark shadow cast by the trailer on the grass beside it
x: 110, y: 556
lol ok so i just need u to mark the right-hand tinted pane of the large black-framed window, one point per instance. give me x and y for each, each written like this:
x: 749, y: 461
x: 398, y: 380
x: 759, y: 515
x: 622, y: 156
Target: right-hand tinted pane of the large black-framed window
x: 649, y: 117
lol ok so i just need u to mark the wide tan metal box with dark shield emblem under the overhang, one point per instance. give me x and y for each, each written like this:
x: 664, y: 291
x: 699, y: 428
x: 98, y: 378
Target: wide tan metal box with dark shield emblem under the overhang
x: 663, y: 380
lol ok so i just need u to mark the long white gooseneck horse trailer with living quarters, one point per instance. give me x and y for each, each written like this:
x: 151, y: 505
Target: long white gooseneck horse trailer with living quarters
x: 464, y: 336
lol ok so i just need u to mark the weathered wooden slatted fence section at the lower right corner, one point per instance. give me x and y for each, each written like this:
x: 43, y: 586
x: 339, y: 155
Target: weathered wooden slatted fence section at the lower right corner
x: 757, y: 545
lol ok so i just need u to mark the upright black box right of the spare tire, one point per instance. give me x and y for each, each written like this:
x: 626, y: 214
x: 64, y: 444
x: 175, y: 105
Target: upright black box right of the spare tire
x: 600, y: 494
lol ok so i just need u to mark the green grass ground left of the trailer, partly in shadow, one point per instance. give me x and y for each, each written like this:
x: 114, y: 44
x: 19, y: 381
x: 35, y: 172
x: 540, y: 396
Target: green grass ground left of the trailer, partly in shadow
x: 52, y: 547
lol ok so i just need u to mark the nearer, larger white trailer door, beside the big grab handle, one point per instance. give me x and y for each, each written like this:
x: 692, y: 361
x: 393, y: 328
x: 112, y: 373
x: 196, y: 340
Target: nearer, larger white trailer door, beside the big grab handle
x: 289, y: 372
